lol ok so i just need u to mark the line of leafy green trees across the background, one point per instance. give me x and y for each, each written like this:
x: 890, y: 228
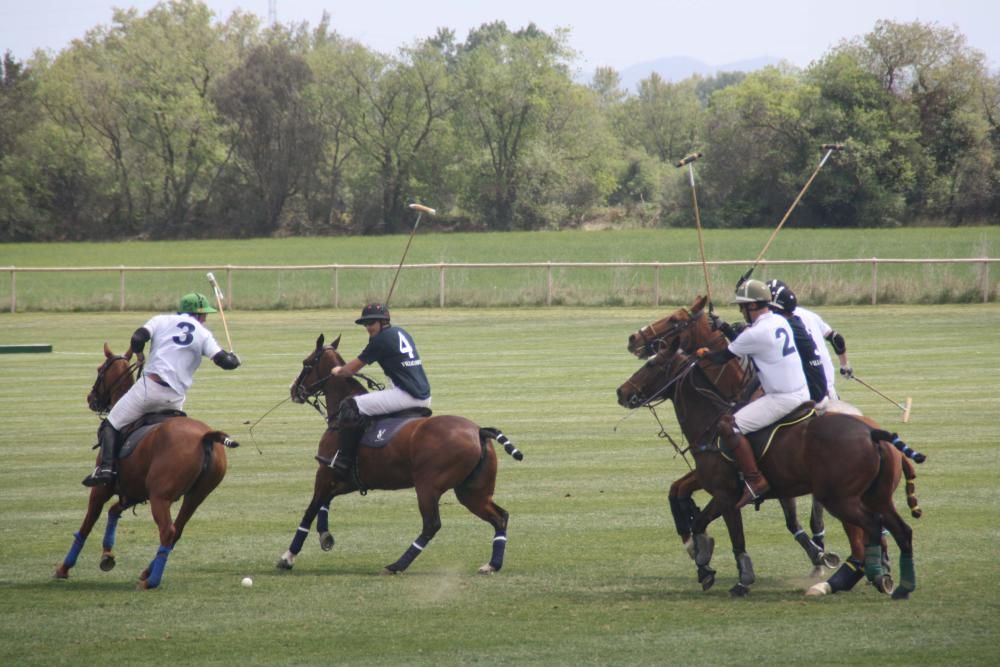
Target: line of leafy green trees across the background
x: 171, y: 124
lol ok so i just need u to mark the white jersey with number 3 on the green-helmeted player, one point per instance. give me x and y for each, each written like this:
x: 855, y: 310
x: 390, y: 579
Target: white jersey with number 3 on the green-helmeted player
x: 178, y: 343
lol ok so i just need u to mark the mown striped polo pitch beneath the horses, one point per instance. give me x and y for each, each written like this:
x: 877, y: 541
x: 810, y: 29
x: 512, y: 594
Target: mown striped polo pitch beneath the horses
x: 594, y: 573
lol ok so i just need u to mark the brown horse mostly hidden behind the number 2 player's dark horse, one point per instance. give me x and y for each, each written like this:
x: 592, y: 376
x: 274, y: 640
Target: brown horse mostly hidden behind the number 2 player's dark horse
x: 696, y: 327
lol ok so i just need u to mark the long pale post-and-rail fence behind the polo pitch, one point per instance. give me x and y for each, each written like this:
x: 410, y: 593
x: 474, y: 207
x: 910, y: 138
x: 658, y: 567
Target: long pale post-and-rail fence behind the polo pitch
x: 985, y: 286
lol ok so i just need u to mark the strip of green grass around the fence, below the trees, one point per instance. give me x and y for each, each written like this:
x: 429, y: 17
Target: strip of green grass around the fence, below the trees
x: 521, y: 286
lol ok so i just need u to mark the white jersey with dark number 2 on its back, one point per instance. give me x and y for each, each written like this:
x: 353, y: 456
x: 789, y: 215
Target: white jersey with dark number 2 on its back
x: 771, y: 346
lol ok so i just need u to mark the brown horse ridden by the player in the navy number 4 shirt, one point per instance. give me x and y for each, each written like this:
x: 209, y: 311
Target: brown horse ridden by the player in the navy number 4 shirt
x: 430, y: 454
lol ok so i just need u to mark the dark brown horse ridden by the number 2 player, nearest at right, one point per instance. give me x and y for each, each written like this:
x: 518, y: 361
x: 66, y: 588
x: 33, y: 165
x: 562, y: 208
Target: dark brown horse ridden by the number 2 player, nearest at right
x: 842, y: 461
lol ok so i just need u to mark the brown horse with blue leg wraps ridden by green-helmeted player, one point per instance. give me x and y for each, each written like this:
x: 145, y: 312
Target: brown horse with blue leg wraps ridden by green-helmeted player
x: 177, y: 457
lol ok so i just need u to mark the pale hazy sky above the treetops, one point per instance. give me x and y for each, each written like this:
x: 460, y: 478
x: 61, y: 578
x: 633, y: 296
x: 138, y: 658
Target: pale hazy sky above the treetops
x: 617, y: 34
